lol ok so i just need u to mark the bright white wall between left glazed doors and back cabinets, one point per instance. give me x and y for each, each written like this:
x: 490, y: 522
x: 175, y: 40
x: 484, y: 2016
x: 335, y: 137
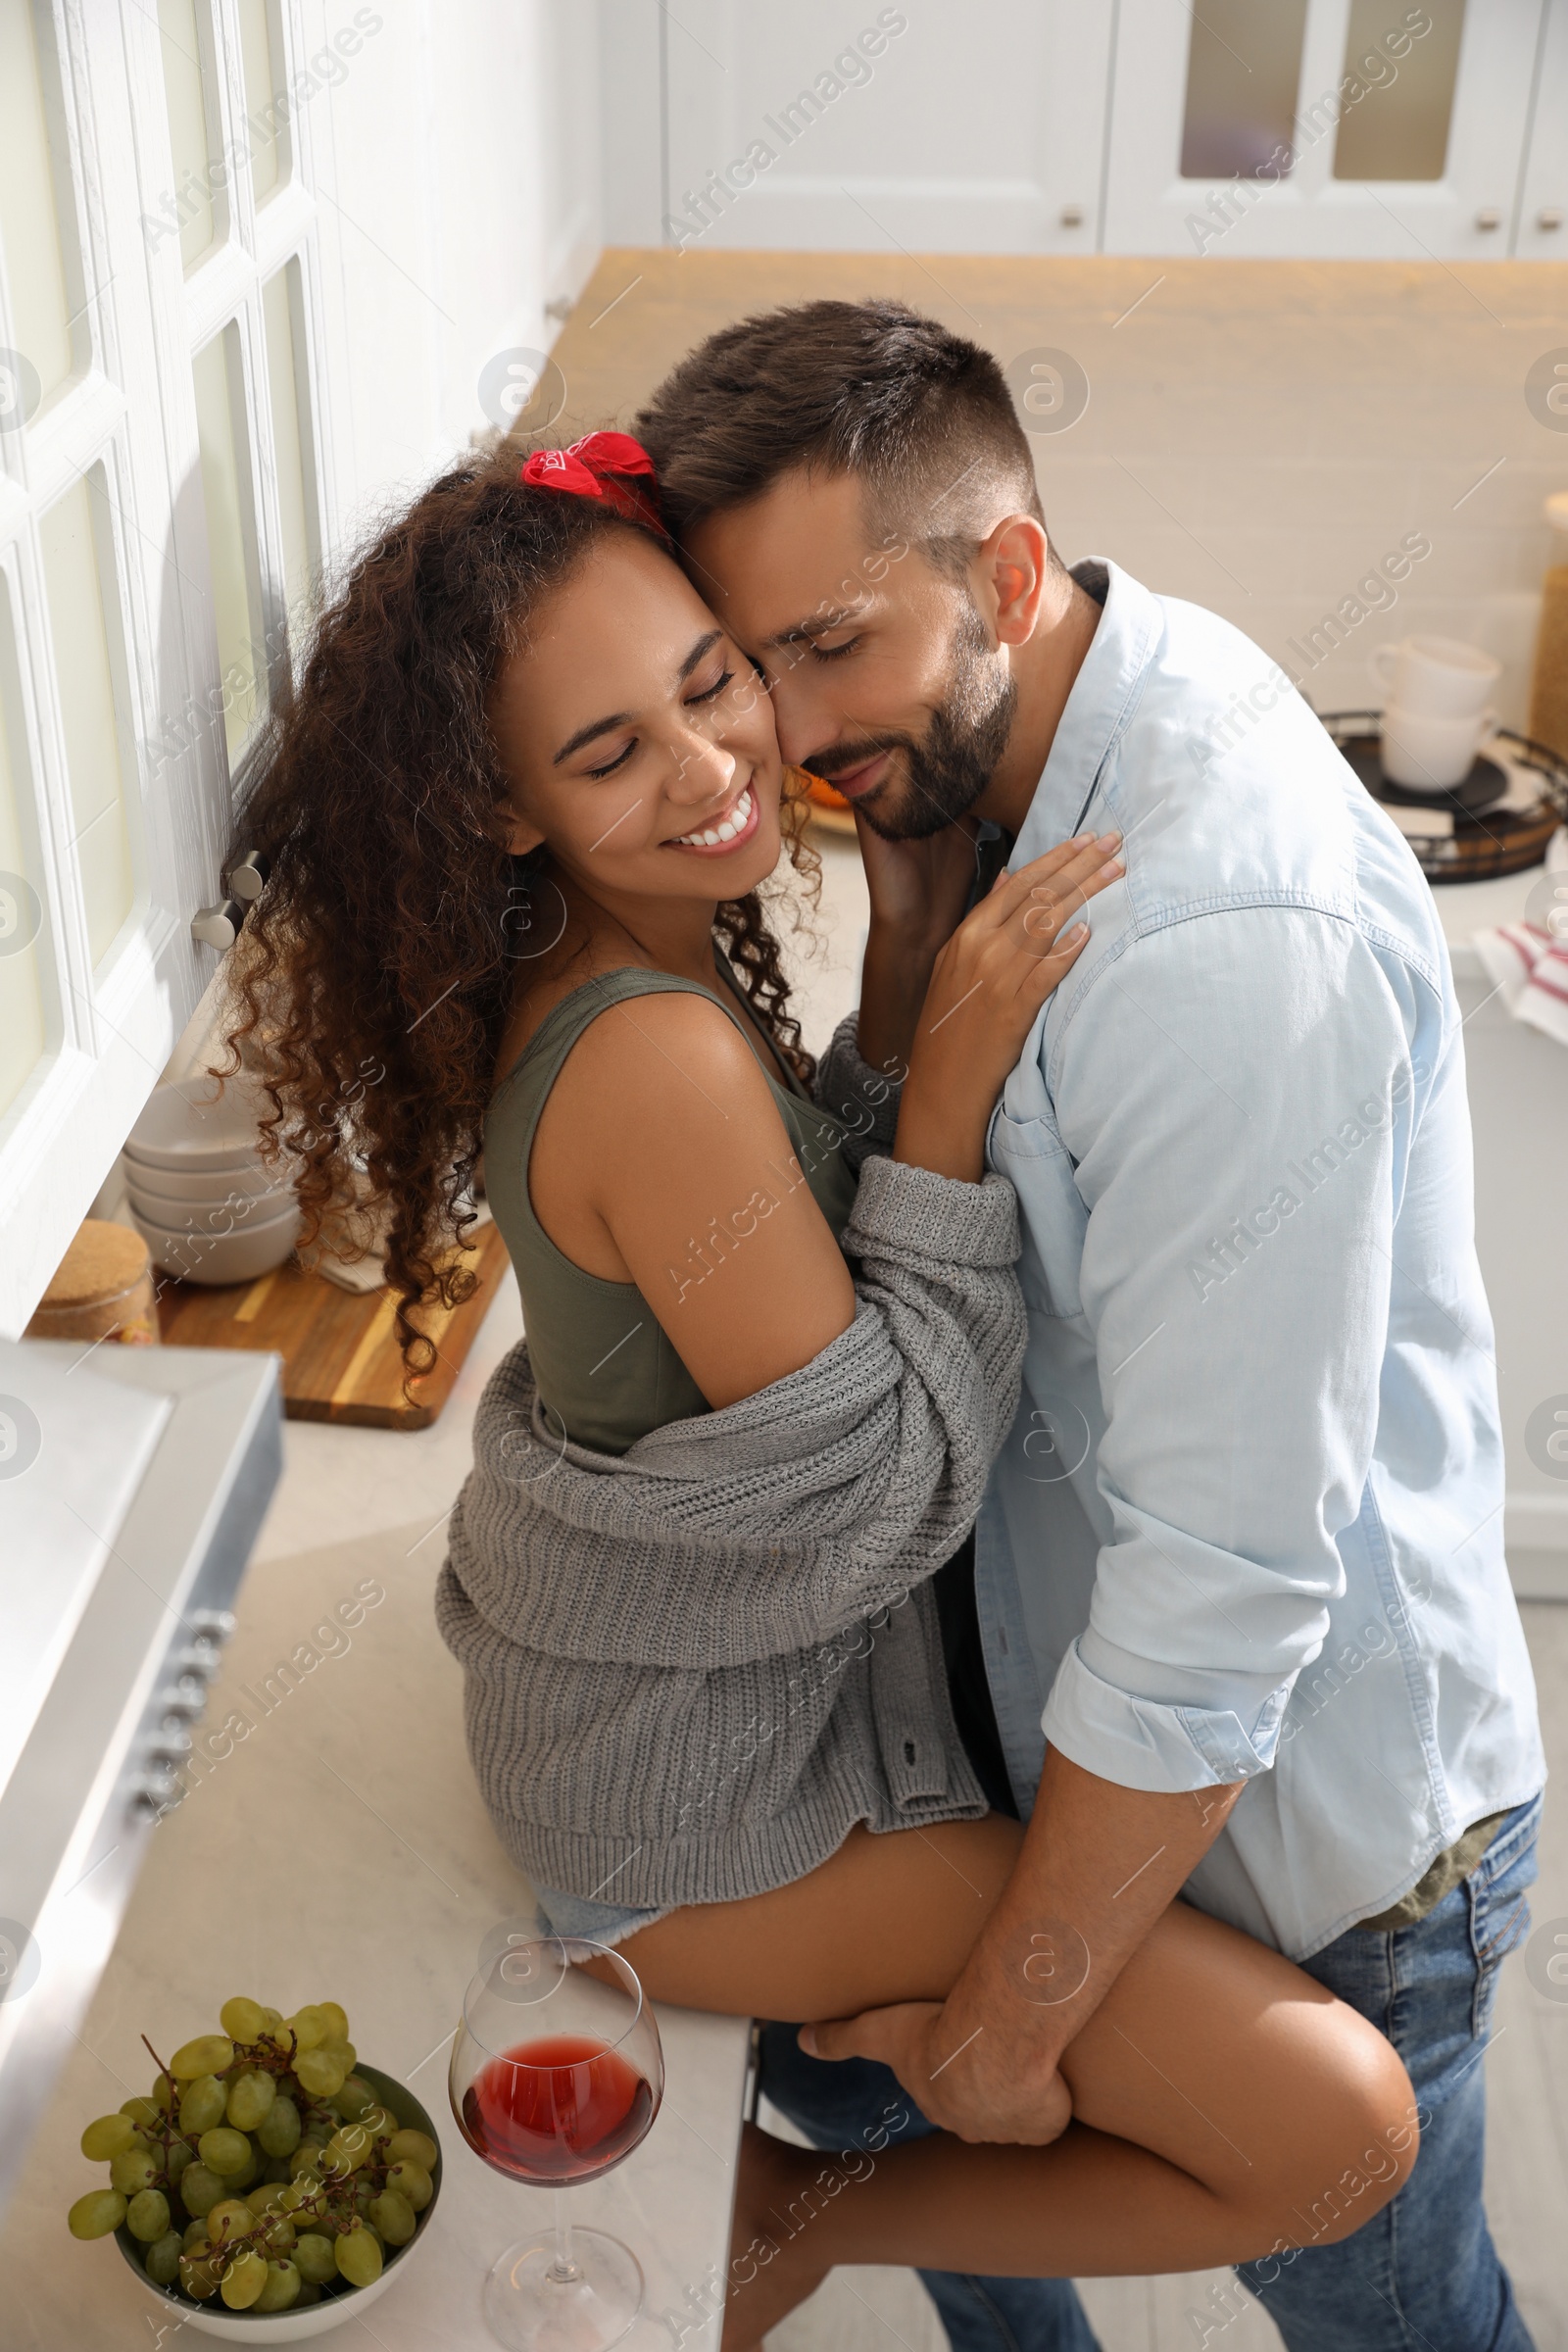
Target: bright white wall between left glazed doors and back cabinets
x: 460, y: 168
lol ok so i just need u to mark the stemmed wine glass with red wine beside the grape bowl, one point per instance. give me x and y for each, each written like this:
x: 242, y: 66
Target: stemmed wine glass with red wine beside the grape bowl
x: 556, y: 2076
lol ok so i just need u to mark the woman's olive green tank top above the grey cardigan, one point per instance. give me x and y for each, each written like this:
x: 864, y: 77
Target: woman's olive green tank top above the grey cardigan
x: 605, y: 1365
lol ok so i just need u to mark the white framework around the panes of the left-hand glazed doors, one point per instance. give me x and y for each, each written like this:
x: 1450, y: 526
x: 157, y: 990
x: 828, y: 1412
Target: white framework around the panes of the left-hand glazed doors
x: 130, y: 410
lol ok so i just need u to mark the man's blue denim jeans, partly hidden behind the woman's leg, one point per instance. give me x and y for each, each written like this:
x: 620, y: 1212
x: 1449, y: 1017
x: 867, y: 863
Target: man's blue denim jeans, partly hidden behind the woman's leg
x: 1419, y: 2278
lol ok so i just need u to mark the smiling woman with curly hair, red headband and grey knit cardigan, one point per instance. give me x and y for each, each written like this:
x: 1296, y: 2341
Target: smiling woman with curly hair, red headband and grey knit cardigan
x: 692, y: 1570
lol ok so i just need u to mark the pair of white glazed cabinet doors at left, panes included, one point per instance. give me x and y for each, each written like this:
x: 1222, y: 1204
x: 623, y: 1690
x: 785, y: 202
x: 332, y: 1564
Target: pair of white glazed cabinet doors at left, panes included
x: 159, y: 514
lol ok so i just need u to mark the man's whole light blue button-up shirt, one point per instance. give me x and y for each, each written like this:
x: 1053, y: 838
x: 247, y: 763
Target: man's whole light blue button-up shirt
x: 1249, y: 1521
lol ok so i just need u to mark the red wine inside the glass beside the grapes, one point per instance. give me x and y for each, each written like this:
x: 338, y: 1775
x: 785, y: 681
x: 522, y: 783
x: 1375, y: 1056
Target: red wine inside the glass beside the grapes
x: 556, y: 2109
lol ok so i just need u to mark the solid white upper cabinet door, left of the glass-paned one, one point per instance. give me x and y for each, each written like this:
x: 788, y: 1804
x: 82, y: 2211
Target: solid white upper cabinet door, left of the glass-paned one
x: 923, y: 128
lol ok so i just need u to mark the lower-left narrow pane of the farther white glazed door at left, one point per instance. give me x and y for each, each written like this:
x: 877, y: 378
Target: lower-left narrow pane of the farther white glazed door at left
x: 232, y: 537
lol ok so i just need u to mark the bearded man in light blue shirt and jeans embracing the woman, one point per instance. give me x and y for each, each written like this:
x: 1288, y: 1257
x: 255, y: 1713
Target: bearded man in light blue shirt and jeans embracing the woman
x: 1240, y: 1575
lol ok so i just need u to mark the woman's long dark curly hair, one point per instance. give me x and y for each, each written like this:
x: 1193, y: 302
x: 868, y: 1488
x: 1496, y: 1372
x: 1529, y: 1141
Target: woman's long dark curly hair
x: 377, y: 970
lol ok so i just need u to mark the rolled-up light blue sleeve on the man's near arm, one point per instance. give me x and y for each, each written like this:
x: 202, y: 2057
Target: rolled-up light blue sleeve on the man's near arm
x: 1235, y: 1102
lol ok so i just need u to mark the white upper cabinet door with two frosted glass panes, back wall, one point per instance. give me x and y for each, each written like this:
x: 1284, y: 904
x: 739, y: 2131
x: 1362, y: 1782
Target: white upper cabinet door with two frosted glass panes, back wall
x: 1247, y: 131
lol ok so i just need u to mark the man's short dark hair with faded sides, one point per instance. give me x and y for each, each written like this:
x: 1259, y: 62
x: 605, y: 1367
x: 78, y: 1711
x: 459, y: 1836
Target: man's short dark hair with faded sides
x: 845, y: 387
